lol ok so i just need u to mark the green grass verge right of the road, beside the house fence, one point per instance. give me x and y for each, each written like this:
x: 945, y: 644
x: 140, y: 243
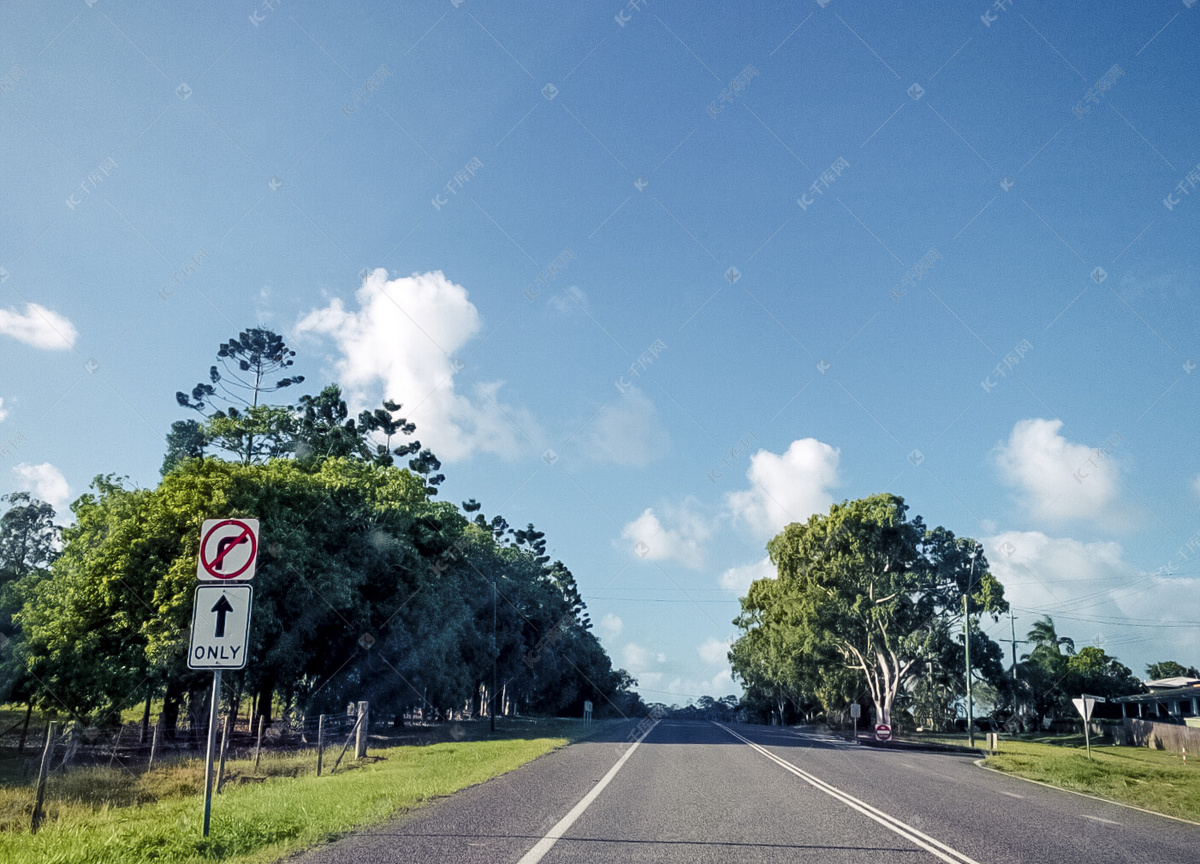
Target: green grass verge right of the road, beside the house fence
x: 1151, y: 779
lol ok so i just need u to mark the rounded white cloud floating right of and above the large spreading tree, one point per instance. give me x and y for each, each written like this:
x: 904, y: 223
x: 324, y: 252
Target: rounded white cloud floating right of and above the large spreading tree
x: 1057, y: 479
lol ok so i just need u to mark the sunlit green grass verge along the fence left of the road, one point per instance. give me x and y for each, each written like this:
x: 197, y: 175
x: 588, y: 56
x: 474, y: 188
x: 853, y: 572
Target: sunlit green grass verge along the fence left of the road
x: 111, y: 817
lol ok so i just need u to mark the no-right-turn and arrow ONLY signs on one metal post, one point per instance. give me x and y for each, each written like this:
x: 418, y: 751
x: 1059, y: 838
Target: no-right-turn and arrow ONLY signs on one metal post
x: 221, y: 616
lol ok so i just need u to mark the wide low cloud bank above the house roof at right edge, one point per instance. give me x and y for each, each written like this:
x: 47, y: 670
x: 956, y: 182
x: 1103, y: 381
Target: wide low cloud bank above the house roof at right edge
x: 1096, y: 597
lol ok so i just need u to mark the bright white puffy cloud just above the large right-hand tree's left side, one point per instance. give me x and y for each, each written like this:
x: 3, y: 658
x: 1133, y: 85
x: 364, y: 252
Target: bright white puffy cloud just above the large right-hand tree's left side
x: 789, y: 488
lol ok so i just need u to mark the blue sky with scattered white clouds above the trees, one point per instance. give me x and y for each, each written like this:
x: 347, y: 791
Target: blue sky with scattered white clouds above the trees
x: 657, y: 278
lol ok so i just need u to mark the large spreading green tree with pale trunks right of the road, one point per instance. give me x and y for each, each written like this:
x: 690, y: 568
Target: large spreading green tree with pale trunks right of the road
x: 863, y: 590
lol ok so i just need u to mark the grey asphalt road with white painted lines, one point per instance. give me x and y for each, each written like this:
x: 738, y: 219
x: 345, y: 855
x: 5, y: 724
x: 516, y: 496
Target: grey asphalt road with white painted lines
x: 703, y: 793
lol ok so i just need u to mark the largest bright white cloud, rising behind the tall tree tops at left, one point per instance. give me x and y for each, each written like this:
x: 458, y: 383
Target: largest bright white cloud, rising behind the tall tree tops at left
x: 403, y: 344
